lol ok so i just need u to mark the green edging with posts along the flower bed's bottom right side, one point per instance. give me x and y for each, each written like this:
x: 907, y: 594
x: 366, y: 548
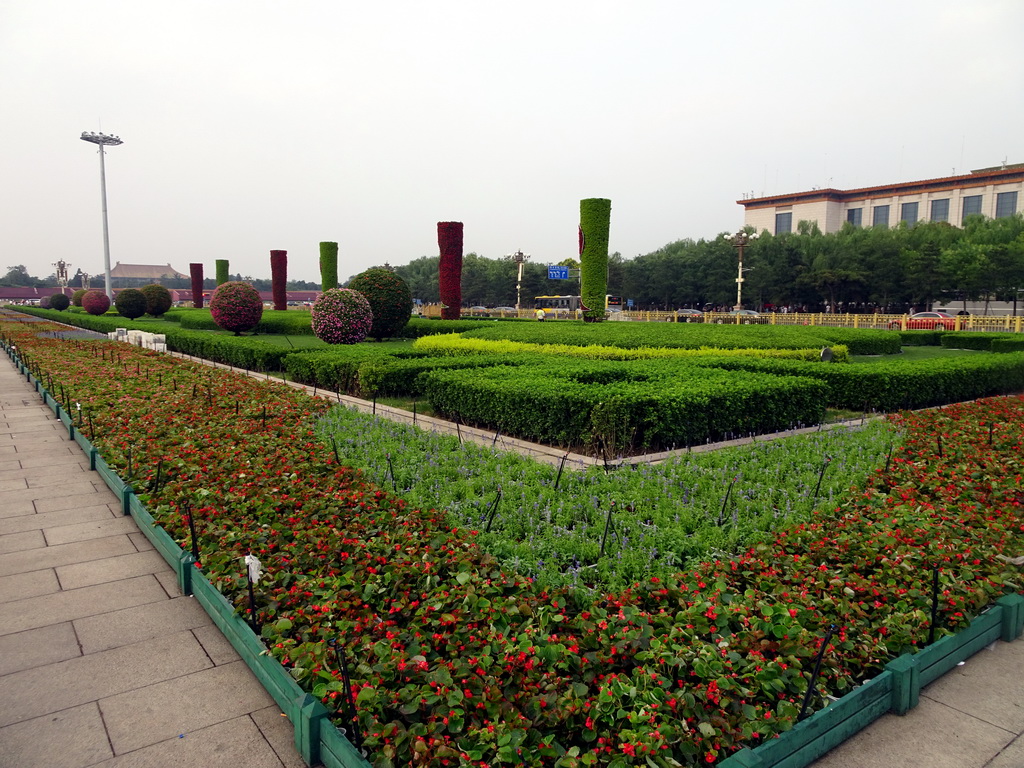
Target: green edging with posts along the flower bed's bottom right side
x: 895, y: 691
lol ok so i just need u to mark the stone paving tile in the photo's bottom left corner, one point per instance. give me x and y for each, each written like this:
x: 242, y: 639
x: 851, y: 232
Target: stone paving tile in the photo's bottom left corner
x: 70, y: 739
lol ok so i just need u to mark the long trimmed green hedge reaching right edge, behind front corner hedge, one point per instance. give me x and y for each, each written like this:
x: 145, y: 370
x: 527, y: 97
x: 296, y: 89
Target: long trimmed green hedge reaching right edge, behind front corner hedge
x: 893, y: 386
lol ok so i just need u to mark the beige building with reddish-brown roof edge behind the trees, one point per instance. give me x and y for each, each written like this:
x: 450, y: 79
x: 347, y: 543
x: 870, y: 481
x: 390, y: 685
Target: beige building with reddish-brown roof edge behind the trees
x: 993, y: 192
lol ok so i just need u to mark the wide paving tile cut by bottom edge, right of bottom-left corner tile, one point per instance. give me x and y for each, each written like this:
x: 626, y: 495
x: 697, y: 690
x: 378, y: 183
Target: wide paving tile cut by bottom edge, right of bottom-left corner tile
x: 229, y: 745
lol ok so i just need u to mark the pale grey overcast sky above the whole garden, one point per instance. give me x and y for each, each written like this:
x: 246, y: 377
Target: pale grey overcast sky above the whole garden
x: 257, y: 125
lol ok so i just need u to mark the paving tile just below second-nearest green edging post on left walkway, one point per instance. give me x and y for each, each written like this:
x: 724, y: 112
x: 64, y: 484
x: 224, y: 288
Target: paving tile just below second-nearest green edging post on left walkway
x: 139, y: 624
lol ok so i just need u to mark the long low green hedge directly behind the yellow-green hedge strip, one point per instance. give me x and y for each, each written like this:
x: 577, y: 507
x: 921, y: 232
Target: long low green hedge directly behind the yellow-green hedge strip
x: 692, y: 336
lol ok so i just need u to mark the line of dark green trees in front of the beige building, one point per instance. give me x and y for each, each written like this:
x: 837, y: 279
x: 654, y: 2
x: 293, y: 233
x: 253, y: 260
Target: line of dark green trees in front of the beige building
x: 854, y: 270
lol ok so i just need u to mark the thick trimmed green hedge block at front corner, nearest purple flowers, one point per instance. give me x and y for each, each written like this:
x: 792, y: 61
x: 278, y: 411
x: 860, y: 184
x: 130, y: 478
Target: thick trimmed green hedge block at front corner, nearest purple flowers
x: 624, y: 408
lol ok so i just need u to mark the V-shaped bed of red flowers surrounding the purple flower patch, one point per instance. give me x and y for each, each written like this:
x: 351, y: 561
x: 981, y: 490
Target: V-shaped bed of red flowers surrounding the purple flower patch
x: 458, y: 662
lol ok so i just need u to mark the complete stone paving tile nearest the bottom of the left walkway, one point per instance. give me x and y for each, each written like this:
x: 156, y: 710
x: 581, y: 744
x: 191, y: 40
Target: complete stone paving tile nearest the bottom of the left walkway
x: 183, y: 705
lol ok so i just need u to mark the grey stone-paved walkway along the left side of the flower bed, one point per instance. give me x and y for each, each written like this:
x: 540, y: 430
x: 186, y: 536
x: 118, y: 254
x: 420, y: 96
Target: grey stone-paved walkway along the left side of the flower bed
x: 103, y: 662
